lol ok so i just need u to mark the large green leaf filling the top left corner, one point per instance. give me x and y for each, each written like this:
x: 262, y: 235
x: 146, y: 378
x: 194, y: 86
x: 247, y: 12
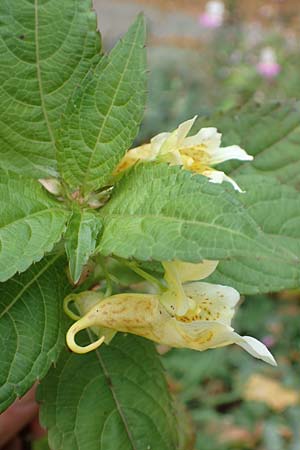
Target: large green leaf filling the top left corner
x: 45, y: 49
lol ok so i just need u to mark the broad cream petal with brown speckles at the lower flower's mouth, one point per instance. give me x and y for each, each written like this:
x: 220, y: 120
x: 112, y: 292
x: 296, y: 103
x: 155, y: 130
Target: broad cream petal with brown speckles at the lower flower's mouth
x: 214, y: 302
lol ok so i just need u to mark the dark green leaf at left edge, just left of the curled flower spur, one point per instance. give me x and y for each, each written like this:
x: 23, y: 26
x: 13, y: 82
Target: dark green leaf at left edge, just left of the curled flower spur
x: 32, y: 326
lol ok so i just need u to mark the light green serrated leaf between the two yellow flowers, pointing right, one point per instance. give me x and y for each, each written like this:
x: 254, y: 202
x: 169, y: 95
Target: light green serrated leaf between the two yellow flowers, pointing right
x: 164, y: 212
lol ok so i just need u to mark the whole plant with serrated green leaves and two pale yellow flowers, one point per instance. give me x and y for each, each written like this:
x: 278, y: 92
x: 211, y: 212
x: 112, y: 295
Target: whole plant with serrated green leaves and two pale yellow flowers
x: 109, y: 248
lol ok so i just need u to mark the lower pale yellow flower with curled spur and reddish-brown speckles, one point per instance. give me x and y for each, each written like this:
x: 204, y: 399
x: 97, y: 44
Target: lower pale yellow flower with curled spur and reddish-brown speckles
x: 205, y: 324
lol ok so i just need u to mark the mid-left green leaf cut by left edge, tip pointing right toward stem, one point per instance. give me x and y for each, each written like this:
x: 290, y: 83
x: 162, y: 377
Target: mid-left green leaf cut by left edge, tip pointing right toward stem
x: 30, y: 223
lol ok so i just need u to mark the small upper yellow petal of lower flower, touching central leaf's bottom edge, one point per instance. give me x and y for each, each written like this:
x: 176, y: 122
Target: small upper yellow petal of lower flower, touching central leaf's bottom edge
x: 194, y: 272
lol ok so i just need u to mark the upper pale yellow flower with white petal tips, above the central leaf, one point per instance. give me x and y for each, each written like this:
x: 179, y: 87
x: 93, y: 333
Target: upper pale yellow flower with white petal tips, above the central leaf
x: 198, y: 153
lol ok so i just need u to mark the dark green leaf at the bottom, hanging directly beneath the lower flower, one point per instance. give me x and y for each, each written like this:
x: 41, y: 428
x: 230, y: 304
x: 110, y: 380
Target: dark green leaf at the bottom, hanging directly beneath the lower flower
x: 114, y: 398
